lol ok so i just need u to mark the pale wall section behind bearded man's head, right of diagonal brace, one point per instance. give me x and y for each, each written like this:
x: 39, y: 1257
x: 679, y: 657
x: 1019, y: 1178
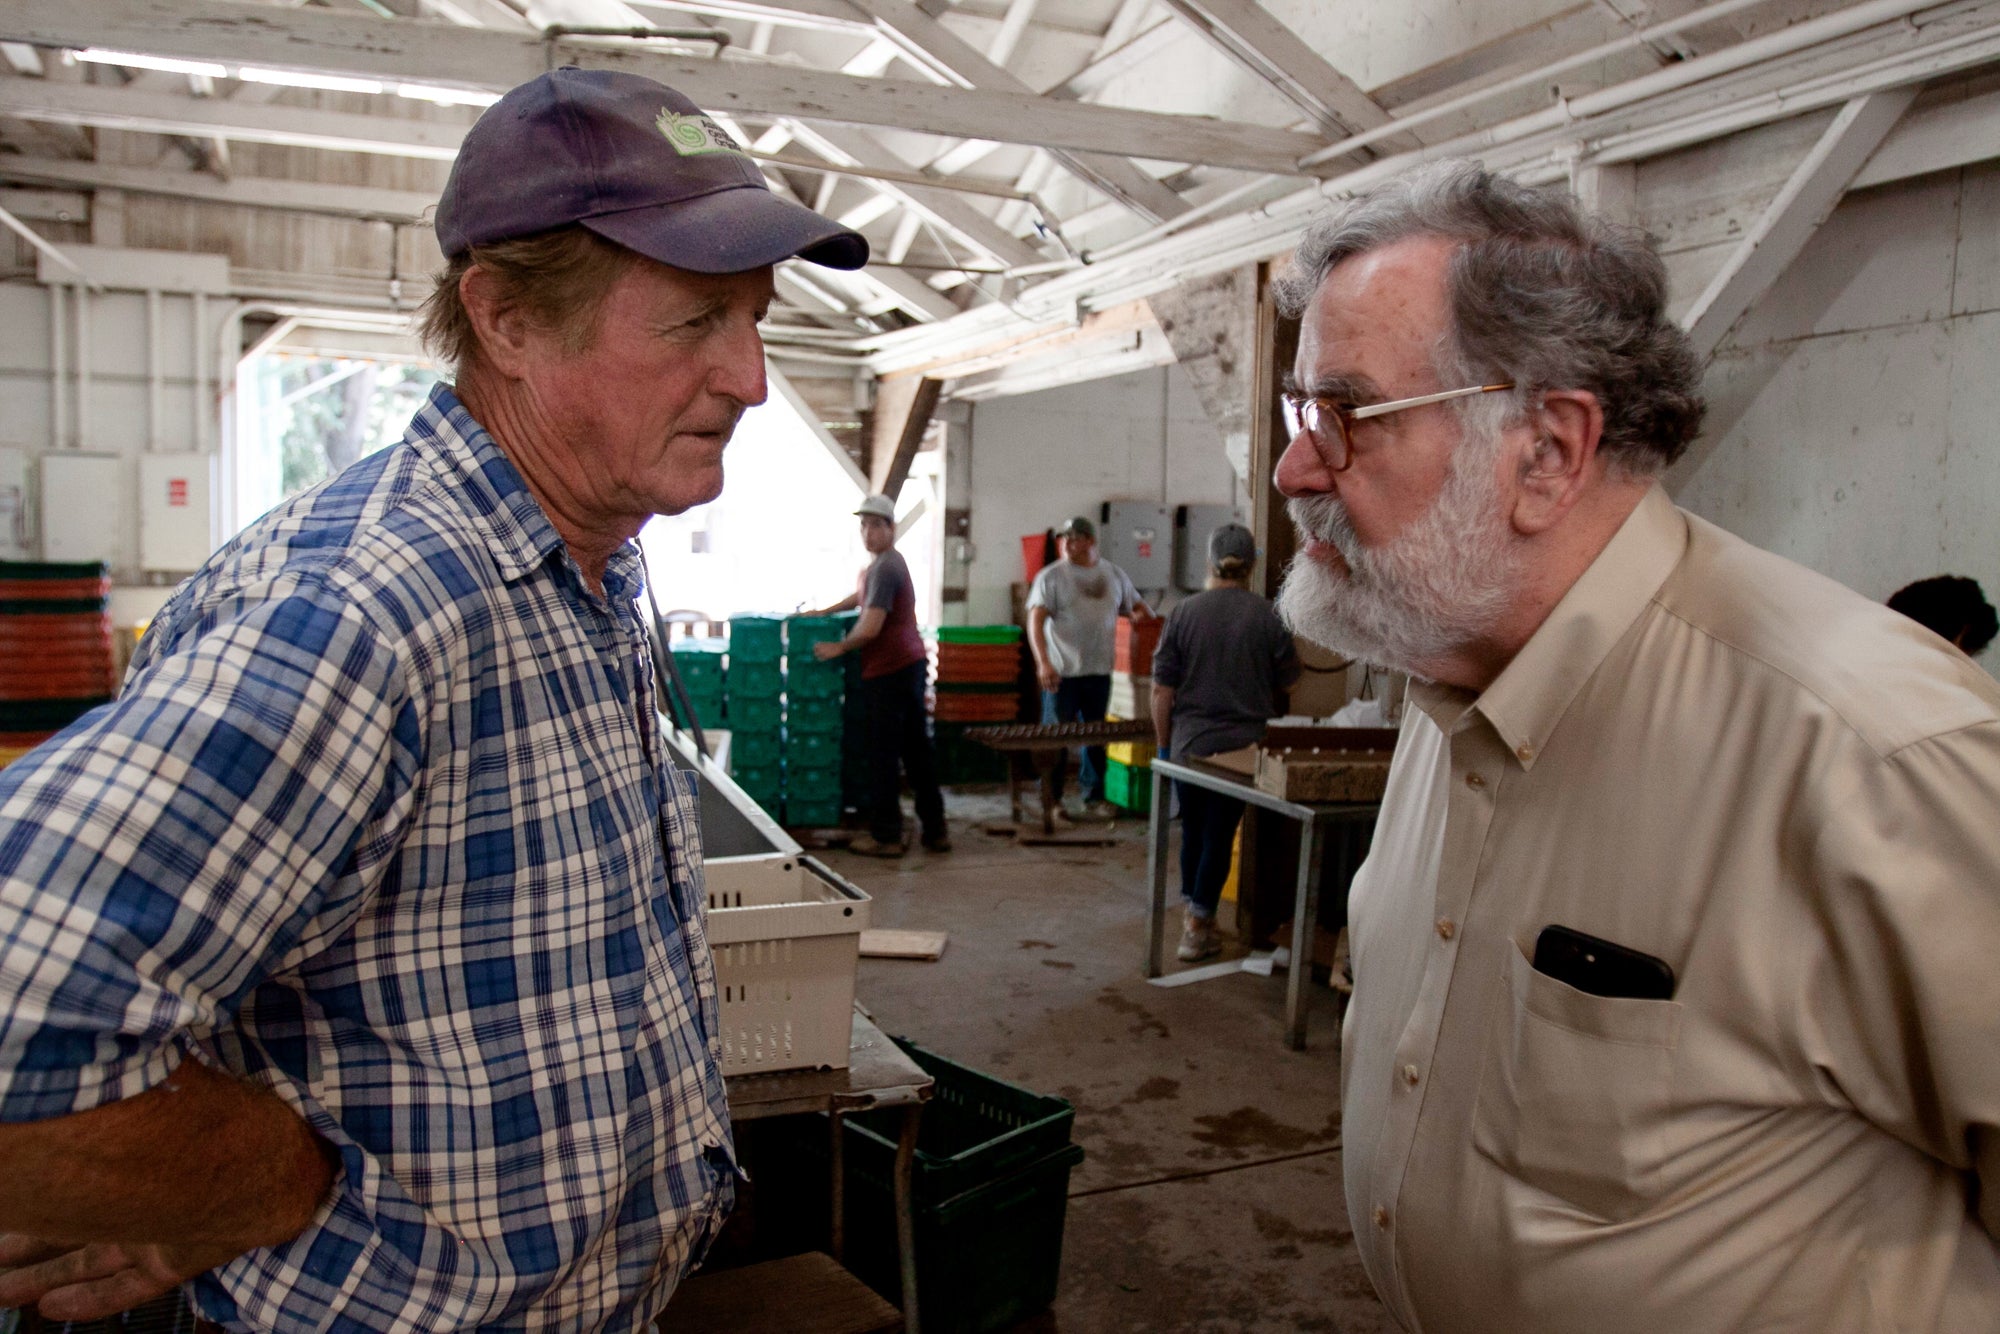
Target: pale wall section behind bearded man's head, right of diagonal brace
x: 1855, y: 415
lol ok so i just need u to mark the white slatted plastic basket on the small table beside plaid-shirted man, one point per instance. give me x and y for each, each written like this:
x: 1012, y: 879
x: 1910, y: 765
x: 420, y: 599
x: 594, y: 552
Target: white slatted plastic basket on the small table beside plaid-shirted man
x: 787, y: 939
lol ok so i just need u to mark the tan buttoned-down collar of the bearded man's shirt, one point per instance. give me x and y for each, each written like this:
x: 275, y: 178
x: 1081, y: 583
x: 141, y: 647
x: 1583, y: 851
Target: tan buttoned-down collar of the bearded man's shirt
x: 1531, y: 695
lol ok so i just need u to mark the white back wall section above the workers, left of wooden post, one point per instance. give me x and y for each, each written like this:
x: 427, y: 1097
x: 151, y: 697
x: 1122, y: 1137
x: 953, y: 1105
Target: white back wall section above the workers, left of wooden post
x: 1039, y: 459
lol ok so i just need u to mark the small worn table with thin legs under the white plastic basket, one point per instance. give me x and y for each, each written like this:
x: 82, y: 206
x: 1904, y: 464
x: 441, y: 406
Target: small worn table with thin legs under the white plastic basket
x: 879, y: 1077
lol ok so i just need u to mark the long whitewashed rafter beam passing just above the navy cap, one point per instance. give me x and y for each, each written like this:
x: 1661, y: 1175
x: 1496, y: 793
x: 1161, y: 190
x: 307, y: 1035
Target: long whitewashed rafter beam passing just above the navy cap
x: 233, y: 31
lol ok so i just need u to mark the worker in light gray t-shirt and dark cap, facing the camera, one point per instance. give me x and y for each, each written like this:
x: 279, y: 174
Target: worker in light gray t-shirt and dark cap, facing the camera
x: 1073, y: 623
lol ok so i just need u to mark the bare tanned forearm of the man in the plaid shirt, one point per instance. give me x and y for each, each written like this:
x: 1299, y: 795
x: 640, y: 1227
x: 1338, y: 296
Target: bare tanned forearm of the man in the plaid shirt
x: 201, y: 1159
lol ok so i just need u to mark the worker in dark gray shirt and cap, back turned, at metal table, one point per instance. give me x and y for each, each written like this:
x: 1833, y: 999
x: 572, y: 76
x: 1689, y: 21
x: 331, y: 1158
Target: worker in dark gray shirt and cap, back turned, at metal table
x: 1221, y: 673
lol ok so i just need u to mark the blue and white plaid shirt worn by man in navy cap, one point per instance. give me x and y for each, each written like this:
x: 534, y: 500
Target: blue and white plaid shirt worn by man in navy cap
x: 379, y: 823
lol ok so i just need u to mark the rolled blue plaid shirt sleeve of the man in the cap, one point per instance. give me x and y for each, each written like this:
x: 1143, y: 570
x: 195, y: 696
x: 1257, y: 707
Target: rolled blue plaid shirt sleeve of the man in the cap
x: 239, y: 801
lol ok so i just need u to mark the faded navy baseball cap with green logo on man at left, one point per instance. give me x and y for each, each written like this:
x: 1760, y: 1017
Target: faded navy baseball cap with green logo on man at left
x: 635, y: 163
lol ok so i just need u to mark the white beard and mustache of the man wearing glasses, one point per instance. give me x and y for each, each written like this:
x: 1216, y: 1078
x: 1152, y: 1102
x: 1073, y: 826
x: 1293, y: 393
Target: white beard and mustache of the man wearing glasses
x: 1421, y: 597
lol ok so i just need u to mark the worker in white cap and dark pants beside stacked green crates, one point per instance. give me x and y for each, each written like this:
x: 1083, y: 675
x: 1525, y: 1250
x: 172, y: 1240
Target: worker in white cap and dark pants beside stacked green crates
x: 893, y: 691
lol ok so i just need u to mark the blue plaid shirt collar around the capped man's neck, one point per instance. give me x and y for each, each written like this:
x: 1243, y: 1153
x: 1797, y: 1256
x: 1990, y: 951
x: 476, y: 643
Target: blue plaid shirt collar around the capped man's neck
x: 497, y: 497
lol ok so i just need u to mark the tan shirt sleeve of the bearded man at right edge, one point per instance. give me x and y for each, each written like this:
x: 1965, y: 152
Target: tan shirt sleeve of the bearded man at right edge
x: 1901, y: 1007
